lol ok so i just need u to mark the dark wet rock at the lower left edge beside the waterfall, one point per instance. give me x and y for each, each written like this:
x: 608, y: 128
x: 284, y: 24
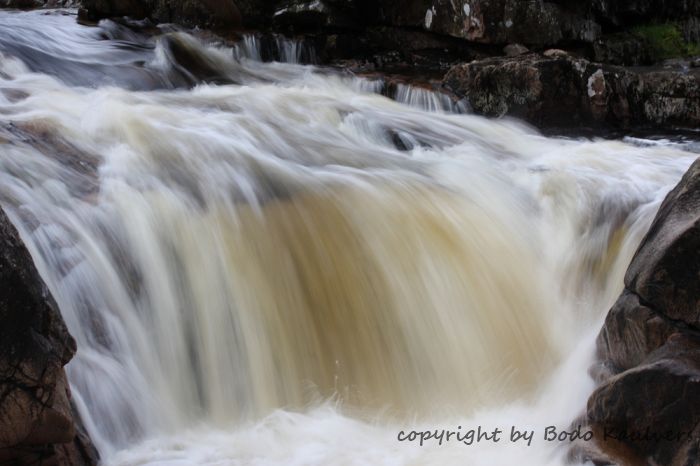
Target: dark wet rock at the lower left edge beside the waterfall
x: 34, y: 347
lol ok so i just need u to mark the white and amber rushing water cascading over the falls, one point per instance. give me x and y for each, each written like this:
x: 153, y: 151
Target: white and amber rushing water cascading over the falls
x: 270, y: 263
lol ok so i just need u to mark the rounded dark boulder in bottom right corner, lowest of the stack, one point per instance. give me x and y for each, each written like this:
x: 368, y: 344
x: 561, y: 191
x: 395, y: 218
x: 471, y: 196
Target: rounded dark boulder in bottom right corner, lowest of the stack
x: 651, y: 414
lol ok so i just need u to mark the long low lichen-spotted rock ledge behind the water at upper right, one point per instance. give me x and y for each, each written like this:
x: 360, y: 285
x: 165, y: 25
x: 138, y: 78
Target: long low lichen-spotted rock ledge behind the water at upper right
x: 561, y: 90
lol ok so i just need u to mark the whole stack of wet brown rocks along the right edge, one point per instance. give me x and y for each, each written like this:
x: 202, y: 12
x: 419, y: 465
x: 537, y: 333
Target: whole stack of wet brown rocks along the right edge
x: 648, y: 410
